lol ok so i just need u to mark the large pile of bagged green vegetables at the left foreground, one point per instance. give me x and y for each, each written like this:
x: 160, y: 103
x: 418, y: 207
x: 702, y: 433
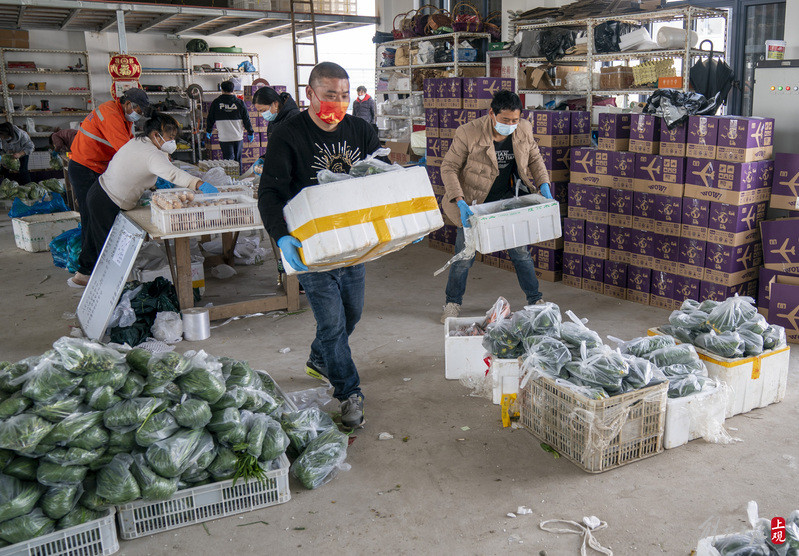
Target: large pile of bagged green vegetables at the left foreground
x: 86, y: 426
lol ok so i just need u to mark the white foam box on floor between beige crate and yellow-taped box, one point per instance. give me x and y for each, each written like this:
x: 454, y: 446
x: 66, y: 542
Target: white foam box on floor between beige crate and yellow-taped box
x: 683, y: 415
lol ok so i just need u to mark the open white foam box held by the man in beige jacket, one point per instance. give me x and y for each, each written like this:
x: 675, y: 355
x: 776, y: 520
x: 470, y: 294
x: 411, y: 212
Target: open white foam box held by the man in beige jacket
x: 532, y: 220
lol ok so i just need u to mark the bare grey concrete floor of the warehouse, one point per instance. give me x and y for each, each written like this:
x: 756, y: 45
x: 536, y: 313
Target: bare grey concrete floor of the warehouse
x: 446, y: 490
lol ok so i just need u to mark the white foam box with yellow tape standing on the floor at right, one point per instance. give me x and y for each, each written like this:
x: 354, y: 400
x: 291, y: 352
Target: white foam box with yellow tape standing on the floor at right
x: 753, y: 381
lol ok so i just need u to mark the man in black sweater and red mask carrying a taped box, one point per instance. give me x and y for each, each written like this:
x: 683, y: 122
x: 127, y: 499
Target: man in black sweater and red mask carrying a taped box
x: 324, y: 137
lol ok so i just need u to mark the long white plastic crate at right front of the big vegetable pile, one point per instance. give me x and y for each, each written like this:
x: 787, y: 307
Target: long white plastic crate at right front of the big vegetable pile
x: 204, y: 503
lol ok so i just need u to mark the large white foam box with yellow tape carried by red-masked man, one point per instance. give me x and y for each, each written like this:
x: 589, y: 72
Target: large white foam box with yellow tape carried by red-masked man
x: 361, y: 219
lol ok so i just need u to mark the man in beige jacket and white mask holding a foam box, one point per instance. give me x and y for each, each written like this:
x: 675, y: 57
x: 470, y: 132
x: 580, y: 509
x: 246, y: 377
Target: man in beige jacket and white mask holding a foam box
x: 486, y: 157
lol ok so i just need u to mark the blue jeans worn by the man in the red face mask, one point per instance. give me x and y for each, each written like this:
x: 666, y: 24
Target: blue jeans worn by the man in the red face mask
x: 336, y: 299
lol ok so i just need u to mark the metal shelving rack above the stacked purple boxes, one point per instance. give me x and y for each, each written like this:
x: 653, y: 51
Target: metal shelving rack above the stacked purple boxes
x: 687, y: 16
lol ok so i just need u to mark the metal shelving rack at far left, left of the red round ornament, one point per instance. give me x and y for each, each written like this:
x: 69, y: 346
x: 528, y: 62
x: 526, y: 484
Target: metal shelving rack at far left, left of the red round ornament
x: 8, y: 94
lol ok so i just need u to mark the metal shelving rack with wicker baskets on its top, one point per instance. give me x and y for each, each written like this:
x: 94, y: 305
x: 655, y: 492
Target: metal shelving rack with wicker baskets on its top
x: 456, y: 65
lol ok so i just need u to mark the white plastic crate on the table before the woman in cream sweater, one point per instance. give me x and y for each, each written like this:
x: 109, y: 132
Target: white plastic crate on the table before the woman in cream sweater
x: 243, y: 213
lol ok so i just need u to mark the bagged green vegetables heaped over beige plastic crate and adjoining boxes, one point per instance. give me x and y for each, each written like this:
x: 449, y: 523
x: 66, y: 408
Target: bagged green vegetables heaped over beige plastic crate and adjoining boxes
x: 576, y: 356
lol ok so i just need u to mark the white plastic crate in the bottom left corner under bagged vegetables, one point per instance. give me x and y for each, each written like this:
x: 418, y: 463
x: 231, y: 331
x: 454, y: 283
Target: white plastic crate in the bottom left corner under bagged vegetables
x: 93, y: 538
